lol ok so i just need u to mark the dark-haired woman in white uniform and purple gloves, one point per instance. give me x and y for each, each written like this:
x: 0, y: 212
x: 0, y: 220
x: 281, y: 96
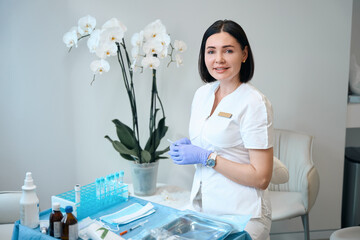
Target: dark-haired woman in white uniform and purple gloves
x: 231, y: 132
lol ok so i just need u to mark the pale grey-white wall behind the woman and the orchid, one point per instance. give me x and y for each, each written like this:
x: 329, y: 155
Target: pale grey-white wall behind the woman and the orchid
x: 53, y: 122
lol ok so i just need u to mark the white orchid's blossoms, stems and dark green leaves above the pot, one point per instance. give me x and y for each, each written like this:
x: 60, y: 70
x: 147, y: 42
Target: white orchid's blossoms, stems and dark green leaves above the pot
x: 149, y: 47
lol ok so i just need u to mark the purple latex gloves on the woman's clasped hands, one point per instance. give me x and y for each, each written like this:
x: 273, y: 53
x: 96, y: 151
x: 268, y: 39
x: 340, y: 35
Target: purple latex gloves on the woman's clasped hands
x: 188, y: 154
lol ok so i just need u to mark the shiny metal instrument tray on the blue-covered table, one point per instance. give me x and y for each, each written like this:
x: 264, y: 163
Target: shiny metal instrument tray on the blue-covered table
x: 192, y: 226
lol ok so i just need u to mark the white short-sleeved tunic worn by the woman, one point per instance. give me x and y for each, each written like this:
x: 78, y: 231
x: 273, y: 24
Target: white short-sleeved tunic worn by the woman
x: 249, y: 127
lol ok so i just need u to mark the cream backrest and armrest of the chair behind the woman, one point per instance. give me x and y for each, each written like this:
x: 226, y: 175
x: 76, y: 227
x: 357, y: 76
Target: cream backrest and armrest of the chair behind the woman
x: 294, y: 149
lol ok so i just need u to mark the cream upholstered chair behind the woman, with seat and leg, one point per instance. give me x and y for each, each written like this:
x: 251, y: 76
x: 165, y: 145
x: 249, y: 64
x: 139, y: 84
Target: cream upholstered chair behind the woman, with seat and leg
x: 295, y: 197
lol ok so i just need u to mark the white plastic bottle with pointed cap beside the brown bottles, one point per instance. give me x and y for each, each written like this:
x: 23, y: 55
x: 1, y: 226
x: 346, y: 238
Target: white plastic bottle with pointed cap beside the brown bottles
x: 29, y: 203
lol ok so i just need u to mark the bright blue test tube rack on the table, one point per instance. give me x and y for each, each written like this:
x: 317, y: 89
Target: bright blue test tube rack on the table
x: 94, y: 197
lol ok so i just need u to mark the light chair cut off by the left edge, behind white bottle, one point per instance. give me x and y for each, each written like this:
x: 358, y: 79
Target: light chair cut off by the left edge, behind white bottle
x: 9, y: 212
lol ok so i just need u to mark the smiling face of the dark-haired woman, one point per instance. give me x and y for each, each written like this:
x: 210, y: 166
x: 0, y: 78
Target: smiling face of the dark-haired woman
x: 223, y: 57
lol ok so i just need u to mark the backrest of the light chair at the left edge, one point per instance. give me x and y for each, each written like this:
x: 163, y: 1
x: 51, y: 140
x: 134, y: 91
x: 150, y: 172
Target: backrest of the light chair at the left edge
x: 9, y: 206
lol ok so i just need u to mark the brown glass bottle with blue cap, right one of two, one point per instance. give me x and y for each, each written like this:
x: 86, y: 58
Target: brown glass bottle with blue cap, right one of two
x: 69, y: 225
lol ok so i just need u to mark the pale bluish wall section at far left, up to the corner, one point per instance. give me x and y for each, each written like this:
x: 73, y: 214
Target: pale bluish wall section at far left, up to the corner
x: 35, y: 105
